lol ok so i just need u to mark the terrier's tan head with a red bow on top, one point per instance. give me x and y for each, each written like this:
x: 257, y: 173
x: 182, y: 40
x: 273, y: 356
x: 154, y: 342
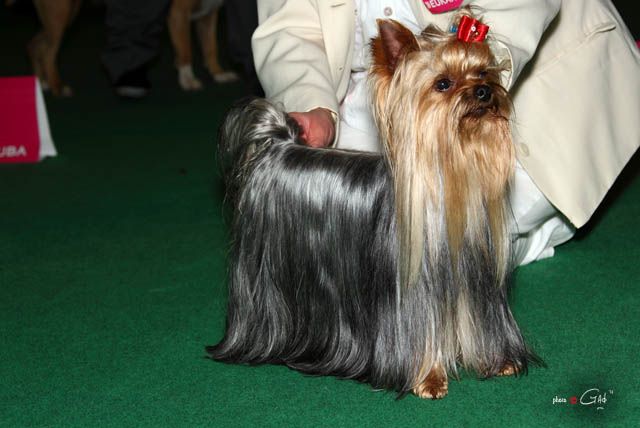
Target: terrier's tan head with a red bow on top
x: 444, y: 79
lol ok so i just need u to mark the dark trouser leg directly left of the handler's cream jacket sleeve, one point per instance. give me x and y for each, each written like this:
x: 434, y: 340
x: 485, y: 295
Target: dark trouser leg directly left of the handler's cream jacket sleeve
x: 242, y: 20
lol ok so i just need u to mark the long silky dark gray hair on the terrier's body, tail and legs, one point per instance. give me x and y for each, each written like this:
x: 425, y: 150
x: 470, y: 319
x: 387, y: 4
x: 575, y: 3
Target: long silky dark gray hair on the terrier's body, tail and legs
x: 314, y: 278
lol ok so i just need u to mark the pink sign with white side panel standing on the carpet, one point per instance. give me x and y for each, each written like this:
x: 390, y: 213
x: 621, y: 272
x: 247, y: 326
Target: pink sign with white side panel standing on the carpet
x: 24, y: 127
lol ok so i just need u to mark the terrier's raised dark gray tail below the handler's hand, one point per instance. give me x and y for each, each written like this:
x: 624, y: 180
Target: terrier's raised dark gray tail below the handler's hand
x: 251, y: 126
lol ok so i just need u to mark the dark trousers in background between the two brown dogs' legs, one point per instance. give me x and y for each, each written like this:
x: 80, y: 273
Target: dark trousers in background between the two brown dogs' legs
x: 133, y: 31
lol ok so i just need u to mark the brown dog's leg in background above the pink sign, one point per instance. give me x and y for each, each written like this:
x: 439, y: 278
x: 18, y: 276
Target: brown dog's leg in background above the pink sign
x: 55, y: 16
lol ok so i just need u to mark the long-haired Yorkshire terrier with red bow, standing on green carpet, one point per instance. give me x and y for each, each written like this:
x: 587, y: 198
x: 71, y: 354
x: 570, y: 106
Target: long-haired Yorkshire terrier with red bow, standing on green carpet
x: 389, y: 268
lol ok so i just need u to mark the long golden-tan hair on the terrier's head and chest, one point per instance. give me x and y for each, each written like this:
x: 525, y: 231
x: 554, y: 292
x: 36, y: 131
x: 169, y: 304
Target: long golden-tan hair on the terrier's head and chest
x: 443, y: 119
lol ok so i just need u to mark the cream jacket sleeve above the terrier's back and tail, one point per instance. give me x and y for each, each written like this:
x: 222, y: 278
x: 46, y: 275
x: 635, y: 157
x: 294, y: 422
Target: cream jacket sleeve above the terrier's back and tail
x: 290, y: 55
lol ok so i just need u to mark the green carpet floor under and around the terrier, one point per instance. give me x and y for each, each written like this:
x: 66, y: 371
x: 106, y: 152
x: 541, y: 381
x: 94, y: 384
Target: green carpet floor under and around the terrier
x: 112, y: 281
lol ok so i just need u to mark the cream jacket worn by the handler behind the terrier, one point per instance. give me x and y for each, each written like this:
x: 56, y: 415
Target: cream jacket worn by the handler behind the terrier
x: 577, y: 103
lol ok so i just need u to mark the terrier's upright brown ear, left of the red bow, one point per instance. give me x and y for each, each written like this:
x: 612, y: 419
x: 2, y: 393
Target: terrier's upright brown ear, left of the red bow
x: 393, y: 42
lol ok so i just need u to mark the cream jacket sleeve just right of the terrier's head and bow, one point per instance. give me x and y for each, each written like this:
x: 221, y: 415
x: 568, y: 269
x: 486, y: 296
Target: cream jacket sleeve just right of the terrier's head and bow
x: 516, y: 28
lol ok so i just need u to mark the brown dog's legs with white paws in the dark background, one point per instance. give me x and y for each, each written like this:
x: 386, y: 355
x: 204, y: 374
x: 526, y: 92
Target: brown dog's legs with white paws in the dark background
x: 205, y: 15
